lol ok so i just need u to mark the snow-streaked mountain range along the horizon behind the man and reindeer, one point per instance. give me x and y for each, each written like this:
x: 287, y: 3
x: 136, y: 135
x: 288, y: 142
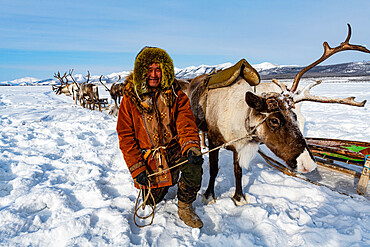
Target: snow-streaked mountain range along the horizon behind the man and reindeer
x: 266, y: 70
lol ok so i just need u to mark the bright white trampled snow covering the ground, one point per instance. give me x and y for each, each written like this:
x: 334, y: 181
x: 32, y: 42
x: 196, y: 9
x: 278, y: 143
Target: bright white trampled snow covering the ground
x: 63, y: 182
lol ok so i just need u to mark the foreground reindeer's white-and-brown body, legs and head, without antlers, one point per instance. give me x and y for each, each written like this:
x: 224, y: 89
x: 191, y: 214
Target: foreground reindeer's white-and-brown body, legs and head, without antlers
x: 231, y: 118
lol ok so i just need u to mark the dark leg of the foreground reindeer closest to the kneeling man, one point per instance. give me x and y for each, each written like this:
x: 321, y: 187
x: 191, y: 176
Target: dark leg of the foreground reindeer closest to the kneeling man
x: 209, y: 195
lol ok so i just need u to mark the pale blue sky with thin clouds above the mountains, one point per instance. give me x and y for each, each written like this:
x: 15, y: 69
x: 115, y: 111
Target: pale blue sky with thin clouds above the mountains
x: 38, y: 38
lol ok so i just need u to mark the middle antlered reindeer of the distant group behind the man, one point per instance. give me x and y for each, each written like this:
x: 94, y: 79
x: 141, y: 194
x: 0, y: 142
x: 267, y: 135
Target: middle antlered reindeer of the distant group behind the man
x: 87, y: 93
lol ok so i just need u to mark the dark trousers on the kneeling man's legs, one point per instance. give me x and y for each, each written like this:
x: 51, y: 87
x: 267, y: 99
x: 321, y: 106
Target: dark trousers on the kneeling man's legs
x: 188, y: 185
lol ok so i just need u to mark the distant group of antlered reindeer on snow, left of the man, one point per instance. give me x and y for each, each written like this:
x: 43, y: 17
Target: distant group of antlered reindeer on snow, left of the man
x: 86, y: 93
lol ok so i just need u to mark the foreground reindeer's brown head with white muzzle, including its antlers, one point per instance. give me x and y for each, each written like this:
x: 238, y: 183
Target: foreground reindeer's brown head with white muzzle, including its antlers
x: 279, y: 130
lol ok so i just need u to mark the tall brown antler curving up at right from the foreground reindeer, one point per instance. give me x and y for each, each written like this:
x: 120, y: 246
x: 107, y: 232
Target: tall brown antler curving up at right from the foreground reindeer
x: 328, y: 51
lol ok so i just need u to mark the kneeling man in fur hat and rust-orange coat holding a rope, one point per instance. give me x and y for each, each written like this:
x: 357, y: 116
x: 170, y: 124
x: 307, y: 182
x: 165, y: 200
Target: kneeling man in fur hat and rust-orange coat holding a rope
x: 156, y: 130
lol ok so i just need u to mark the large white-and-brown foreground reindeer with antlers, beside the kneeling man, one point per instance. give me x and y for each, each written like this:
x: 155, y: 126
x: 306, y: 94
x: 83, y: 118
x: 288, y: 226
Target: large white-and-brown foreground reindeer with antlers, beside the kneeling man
x: 253, y: 119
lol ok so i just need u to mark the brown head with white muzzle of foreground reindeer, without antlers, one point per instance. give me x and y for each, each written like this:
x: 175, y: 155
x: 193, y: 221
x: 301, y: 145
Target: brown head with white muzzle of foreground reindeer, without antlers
x: 279, y: 130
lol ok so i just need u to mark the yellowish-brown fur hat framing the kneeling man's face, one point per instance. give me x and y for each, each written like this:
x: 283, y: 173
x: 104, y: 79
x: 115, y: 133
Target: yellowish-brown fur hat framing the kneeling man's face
x: 146, y: 57
